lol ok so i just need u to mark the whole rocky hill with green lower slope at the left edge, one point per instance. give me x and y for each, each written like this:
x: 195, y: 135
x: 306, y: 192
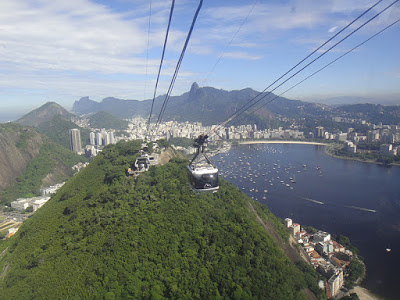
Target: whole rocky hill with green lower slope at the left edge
x: 29, y: 160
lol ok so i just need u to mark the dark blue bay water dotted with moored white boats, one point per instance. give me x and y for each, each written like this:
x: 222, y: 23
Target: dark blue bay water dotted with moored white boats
x: 356, y: 199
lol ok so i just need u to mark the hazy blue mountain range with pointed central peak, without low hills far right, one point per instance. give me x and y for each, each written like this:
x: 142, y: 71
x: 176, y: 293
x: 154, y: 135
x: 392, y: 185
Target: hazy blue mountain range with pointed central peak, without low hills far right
x: 206, y: 104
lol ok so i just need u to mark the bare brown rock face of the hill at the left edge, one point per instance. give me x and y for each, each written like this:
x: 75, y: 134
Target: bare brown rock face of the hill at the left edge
x: 18, y: 145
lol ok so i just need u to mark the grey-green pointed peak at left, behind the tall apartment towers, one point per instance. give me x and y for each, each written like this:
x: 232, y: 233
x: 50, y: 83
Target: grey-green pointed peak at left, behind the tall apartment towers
x: 44, y: 113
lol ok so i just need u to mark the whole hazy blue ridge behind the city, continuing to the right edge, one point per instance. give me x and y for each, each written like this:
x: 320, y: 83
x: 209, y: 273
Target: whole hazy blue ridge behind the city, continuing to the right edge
x: 212, y: 106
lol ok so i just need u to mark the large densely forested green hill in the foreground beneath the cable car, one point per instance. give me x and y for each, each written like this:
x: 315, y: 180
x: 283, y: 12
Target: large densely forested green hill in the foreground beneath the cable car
x: 105, y: 236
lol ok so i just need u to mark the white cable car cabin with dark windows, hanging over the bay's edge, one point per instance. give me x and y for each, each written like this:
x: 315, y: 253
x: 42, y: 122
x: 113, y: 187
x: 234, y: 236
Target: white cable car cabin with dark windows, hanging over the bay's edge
x: 203, y: 178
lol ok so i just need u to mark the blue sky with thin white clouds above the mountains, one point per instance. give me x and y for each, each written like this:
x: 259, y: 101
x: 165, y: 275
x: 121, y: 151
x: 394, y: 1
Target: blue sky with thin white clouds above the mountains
x: 57, y: 50
